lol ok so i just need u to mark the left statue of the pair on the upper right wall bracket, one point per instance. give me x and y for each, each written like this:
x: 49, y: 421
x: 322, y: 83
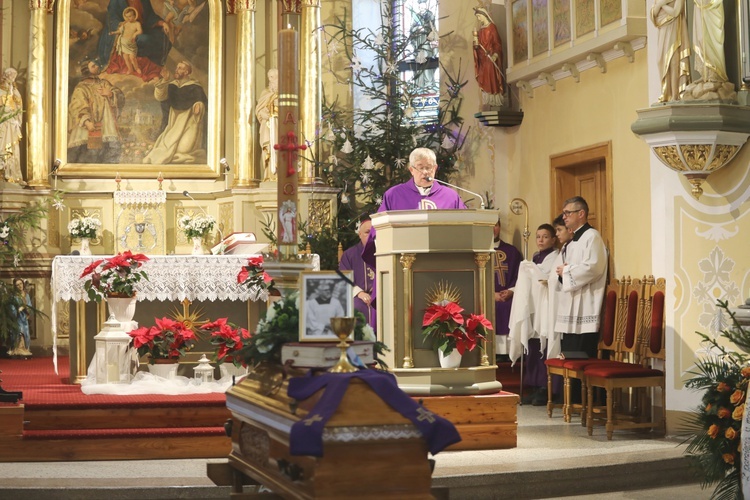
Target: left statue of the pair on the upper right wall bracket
x: 670, y: 19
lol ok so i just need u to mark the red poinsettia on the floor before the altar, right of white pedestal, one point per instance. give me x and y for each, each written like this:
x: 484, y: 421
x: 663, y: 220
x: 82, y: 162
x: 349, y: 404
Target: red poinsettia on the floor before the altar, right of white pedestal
x: 167, y: 339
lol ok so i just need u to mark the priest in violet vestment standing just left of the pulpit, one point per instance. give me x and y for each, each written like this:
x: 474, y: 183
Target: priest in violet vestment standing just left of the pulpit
x: 364, y: 274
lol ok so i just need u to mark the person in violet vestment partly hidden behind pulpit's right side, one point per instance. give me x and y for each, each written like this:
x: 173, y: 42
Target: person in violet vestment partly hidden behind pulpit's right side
x: 507, y: 259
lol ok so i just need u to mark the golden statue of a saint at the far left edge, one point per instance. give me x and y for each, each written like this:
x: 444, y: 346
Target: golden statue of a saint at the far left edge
x: 10, y: 128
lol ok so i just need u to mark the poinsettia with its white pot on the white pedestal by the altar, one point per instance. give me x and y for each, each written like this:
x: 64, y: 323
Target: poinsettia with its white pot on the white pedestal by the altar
x: 115, y: 278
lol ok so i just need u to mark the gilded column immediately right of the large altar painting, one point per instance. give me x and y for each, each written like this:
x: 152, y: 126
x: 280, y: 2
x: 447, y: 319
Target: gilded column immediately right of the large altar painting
x: 247, y: 172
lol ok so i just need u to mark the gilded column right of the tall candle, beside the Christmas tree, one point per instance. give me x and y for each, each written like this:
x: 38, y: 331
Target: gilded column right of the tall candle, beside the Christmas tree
x: 311, y: 87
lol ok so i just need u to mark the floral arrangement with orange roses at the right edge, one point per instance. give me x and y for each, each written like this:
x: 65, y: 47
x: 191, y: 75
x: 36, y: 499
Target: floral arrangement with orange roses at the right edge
x: 715, y: 425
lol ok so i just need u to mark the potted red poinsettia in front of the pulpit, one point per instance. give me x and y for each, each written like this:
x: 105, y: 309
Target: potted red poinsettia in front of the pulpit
x: 452, y: 333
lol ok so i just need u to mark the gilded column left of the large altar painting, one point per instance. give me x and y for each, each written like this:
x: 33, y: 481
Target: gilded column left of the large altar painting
x: 37, y: 102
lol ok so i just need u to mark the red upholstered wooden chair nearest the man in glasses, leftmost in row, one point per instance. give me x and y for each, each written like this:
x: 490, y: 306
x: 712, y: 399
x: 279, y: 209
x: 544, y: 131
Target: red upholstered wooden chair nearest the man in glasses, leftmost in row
x: 612, y: 330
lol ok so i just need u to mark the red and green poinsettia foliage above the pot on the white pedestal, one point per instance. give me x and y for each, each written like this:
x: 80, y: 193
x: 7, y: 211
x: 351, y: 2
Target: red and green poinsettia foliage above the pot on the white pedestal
x: 115, y: 276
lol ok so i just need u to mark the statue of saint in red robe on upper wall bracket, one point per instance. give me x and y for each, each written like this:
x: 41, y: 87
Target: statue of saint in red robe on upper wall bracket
x: 488, y: 59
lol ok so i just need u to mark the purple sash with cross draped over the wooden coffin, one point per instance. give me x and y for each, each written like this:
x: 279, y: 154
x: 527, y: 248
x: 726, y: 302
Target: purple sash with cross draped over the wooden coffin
x: 306, y: 436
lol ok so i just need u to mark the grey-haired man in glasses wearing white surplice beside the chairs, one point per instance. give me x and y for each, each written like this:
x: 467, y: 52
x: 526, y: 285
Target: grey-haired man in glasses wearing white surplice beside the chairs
x: 583, y: 276
